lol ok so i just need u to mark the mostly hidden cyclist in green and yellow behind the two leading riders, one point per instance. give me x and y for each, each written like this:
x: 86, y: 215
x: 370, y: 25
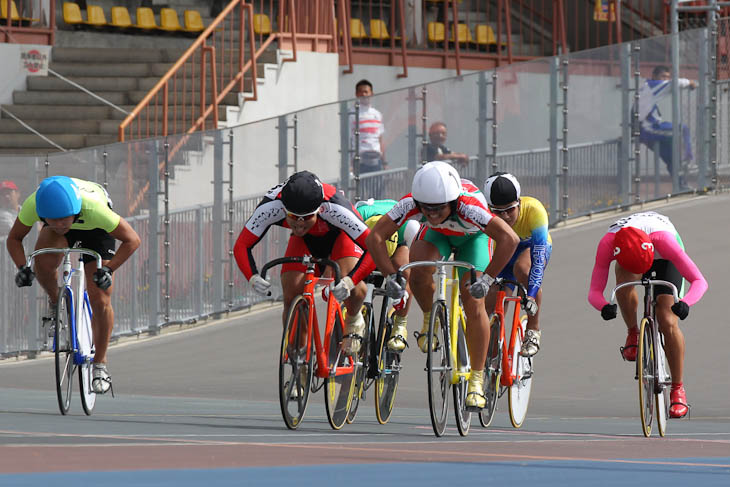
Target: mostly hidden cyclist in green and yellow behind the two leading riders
x: 398, y: 244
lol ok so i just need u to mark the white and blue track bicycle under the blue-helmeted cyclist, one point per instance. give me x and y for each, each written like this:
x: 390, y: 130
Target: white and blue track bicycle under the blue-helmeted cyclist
x: 73, y: 340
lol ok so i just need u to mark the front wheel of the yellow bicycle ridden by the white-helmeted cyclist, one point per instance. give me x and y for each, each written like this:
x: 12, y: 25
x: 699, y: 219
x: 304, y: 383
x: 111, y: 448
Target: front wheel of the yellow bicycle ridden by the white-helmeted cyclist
x: 438, y: 366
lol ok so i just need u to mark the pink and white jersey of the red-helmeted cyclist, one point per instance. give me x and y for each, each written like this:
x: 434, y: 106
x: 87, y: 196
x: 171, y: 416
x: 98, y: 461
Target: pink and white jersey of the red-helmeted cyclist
x: 667, y: 245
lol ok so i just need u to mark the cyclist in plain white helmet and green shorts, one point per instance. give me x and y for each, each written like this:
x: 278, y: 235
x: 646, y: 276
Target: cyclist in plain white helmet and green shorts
x: 455, y: 218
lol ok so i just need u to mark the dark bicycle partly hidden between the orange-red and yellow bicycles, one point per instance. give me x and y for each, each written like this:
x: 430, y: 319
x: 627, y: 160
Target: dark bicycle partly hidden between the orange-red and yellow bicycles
x: 376, y: 363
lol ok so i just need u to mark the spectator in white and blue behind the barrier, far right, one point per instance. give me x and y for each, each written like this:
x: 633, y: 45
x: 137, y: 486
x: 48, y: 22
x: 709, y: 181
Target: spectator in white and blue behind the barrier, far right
x: 653, y: 129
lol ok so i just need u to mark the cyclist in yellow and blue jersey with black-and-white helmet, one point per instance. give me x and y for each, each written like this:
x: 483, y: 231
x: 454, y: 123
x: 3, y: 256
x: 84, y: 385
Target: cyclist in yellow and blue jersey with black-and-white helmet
x: 529, y: 220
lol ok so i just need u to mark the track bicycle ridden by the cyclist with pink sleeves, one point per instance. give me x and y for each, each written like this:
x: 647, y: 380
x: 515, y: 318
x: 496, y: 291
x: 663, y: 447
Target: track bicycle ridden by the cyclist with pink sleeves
x: 652, y: 368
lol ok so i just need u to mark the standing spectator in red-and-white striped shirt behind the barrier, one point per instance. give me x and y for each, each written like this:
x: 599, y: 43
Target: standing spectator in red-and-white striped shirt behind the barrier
x: 370, y: 148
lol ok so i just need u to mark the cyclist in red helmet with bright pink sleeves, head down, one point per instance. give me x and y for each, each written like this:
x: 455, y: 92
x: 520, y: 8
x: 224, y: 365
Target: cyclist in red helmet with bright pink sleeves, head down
x: 647, y: 244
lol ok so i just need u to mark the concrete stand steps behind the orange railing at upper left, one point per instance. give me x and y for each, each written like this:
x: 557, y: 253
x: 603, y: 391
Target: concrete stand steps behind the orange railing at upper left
x: 120, y: 68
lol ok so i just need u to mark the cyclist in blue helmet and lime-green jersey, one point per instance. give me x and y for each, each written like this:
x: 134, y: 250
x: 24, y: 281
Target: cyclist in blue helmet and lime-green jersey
x: 75, y: 211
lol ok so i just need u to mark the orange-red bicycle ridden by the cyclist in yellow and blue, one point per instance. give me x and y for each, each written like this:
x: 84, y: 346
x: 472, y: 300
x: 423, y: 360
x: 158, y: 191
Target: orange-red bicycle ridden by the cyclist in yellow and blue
x: 506, y: 369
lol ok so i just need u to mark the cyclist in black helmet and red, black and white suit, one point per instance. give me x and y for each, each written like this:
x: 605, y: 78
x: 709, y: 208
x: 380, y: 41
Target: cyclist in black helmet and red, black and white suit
x: 323, y: 223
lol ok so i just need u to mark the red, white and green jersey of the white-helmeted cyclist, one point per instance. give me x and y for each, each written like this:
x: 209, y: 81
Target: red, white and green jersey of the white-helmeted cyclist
x: 472, y: 214
